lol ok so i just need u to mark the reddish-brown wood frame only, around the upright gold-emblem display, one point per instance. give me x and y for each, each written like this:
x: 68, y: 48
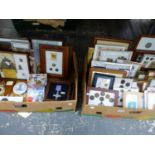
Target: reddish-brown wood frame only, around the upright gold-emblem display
x: 64, y: 50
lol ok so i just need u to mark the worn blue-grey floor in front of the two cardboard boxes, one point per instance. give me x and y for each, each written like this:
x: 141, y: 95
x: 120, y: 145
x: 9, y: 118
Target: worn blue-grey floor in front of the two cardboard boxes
x: 70, y: 123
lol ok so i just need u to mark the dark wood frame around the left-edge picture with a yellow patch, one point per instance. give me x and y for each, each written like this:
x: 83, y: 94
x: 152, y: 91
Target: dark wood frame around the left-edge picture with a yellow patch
x: 20, y: 53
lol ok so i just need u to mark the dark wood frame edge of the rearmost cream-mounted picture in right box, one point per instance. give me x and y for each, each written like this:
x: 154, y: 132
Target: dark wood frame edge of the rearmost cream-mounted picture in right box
x: 110, y: 39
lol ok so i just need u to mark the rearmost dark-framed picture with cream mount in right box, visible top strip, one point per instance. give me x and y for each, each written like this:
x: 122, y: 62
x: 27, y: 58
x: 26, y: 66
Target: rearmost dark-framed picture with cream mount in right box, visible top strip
x: 127, y: 44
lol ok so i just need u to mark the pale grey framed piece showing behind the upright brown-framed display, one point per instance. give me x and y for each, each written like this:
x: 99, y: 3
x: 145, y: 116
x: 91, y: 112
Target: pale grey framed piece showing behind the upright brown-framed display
x: 36, y: 46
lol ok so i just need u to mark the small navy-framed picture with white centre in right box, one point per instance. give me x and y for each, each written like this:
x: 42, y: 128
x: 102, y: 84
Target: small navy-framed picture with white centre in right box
x: 103, y: 81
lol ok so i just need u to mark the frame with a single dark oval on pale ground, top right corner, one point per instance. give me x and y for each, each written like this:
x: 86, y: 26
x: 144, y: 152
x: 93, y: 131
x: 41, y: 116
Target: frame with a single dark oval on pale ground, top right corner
x: 146, y: 44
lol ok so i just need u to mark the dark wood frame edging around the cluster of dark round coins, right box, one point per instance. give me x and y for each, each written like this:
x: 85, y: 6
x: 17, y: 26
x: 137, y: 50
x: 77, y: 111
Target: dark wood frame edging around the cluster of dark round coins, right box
x: 104, y: 90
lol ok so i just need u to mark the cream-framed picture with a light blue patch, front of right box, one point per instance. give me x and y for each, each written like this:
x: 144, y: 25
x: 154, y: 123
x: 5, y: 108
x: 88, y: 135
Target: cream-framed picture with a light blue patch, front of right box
x: 133, y: 100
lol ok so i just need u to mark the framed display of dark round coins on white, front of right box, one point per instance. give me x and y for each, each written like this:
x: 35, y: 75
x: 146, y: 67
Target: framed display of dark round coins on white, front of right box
x: 103, y: 97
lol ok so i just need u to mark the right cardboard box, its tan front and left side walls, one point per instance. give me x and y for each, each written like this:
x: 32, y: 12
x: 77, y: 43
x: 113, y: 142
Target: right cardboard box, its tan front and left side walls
x: 111, y: 112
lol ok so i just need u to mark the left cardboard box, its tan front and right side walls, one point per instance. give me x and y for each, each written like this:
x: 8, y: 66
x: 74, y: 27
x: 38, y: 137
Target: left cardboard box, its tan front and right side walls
x: 46, y: 106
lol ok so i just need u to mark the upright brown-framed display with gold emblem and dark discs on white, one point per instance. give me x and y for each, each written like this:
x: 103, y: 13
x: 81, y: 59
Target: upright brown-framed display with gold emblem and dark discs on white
x: 54, y: 60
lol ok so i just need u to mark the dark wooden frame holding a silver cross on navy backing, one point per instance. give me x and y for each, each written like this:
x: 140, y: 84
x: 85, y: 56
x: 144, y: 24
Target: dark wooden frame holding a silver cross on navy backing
x: 60, y: 84
